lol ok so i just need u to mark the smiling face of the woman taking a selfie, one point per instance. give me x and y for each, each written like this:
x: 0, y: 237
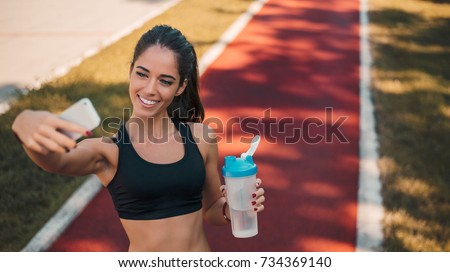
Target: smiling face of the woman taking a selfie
x: 154, y: 82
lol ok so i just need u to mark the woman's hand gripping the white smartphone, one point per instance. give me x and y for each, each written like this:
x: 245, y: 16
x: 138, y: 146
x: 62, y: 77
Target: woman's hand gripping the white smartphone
x: 40, y: 131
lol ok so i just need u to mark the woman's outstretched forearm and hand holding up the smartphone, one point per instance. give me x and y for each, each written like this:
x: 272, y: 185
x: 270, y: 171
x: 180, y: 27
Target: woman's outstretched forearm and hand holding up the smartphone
x: 53, y: 151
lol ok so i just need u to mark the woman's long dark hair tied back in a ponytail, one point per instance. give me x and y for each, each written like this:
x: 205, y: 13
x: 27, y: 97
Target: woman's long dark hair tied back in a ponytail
x: 186, y: 107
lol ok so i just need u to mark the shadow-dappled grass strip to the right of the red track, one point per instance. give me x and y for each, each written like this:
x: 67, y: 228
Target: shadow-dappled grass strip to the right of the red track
x: 410, y: 44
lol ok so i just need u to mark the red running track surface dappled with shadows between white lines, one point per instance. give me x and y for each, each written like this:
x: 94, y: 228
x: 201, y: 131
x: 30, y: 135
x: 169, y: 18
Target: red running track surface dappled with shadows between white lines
x: 292, y: 61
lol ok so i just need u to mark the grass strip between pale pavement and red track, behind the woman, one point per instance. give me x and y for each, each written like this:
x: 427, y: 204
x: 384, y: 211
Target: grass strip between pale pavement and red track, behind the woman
x: 31, y: 196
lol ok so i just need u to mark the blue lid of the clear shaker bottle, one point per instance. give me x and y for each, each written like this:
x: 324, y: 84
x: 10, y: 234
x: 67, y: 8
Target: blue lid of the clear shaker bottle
x: 238, y: 167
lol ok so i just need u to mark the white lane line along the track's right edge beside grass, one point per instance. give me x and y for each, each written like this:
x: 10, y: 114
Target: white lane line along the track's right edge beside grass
x: 370, y: 203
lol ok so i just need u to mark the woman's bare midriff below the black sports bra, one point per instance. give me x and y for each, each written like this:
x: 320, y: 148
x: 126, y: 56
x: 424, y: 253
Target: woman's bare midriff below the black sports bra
x: 180, y: 233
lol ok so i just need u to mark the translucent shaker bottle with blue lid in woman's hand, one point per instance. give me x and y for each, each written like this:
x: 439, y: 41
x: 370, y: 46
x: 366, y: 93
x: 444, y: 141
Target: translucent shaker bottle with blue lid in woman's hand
x: 240, y: 183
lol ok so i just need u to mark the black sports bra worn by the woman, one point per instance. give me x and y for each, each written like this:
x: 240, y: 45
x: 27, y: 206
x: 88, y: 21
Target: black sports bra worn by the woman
x: 142, y: 190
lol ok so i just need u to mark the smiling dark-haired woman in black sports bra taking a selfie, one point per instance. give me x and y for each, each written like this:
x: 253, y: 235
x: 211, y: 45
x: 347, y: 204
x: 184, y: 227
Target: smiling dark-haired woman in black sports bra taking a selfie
x: 161, y: 166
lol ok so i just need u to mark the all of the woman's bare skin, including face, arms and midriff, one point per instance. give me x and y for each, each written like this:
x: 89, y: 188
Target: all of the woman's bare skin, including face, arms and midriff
x: 154, y: 82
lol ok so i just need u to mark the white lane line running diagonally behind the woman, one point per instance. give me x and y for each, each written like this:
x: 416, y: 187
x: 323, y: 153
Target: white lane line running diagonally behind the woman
x: 81, y: 198
